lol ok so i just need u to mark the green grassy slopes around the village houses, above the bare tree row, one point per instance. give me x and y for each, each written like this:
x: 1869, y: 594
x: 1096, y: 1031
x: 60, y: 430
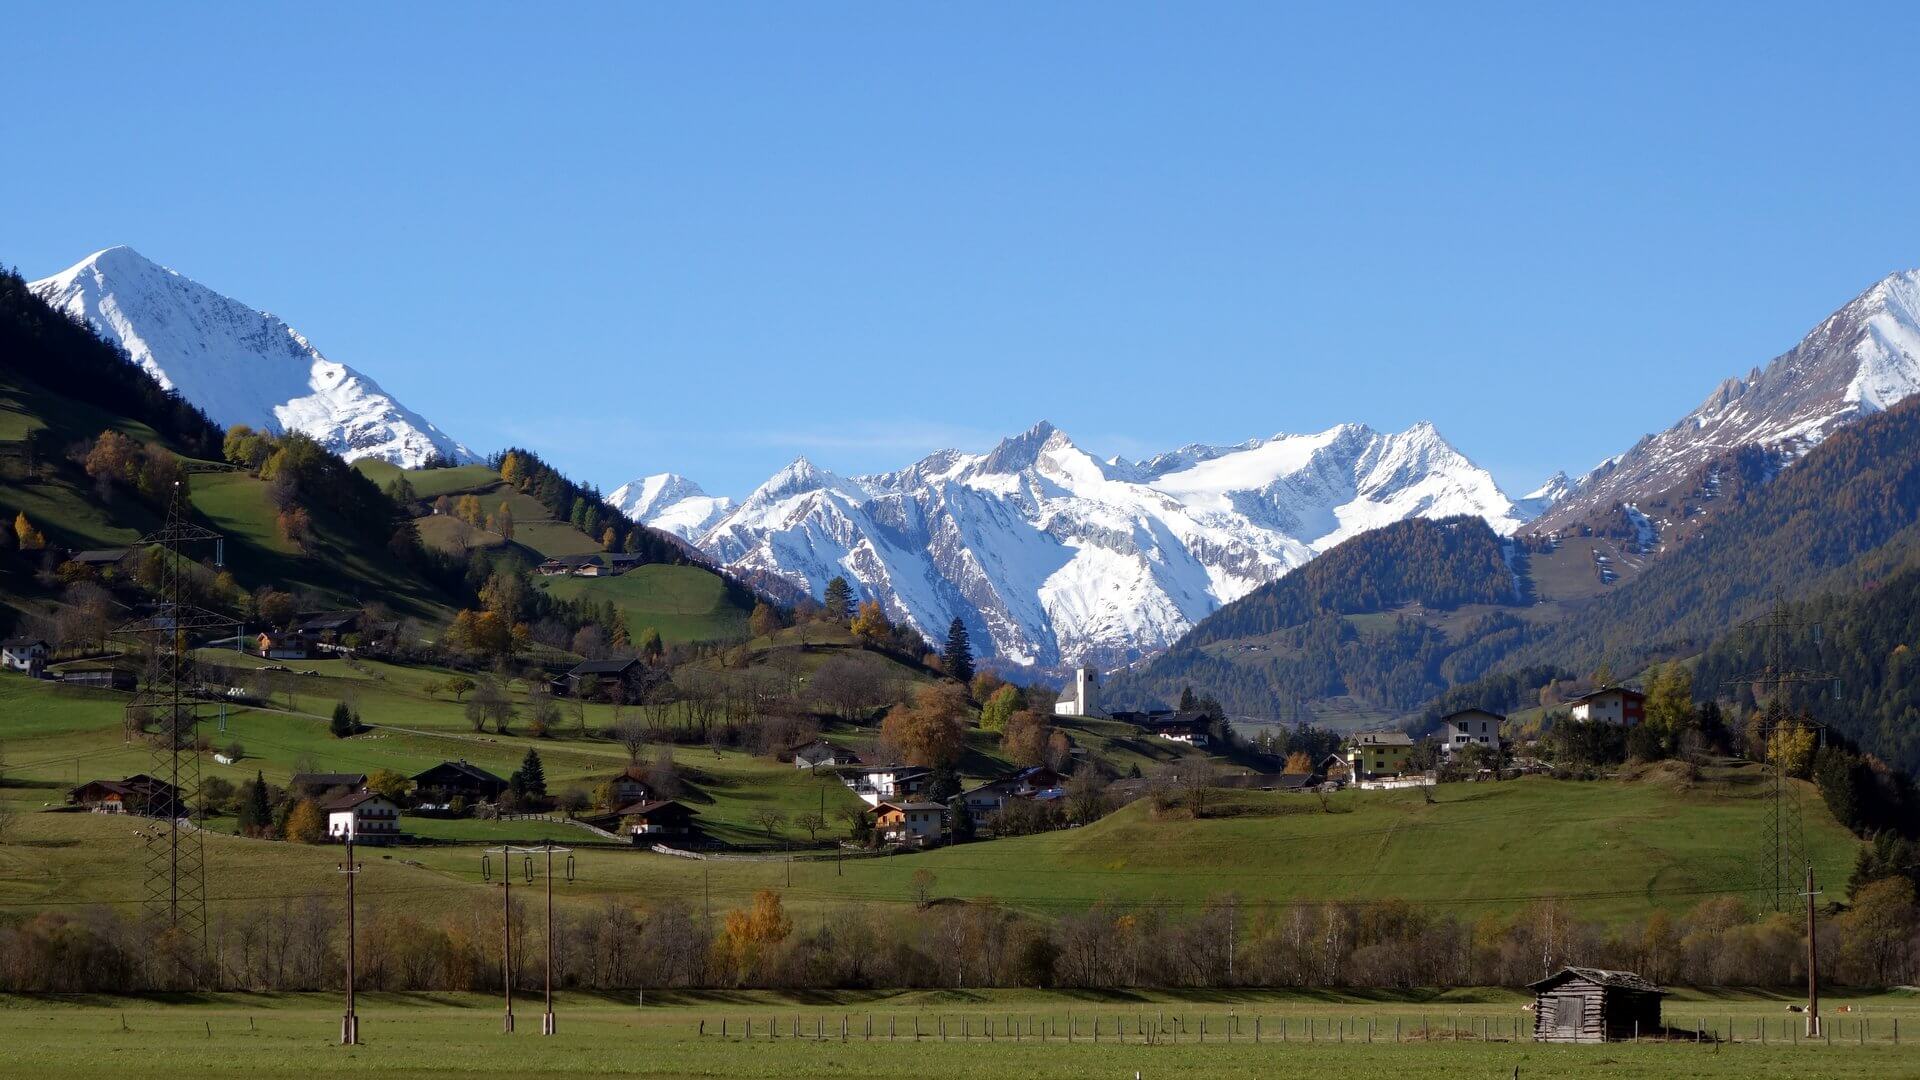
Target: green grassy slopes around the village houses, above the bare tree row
x: 1614, y: 850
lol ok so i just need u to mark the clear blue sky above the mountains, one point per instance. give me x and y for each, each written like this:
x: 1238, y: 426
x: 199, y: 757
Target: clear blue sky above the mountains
x: 704, y: 239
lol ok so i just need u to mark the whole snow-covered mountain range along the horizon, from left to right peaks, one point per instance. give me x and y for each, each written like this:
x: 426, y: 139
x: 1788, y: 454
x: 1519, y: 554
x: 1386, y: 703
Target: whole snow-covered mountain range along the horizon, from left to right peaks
x: 1049, y: 554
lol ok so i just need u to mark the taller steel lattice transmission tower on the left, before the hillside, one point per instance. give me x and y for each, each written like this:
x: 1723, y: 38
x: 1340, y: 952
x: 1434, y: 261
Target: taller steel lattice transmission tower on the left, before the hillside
x: 166, y: 712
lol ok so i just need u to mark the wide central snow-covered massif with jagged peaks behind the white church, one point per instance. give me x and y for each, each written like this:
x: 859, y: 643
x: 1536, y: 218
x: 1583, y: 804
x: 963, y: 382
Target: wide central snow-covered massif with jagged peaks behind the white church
x: 1053, y: 556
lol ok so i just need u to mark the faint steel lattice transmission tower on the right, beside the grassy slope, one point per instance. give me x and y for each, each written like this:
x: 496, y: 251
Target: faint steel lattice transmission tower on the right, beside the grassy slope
x: 1783, y: 831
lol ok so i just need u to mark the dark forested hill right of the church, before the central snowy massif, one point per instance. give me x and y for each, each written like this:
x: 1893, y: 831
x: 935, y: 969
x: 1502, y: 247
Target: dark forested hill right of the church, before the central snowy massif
x: 1328, y: 629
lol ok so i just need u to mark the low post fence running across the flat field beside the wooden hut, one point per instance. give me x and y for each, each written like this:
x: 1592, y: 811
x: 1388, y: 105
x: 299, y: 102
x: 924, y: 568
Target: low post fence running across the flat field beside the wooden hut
x: 1159, y: 1027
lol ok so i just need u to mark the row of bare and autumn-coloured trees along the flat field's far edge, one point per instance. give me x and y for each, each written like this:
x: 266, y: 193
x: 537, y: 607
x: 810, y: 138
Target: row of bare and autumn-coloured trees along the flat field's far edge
x: 924, y: 939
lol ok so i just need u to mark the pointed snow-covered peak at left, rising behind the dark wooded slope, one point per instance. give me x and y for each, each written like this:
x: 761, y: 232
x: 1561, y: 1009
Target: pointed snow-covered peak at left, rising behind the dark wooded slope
x: 239, y: 364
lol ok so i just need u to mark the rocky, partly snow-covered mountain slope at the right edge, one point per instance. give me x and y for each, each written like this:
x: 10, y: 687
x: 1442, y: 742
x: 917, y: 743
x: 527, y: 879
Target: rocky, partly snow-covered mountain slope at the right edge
x: 1861, y: 360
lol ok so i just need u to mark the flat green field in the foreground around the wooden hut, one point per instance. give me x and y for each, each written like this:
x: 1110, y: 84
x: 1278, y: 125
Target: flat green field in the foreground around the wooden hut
x: 1464, y: 1033
